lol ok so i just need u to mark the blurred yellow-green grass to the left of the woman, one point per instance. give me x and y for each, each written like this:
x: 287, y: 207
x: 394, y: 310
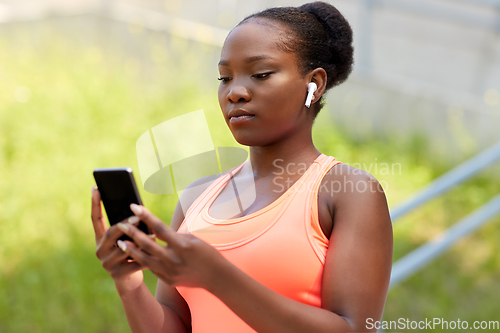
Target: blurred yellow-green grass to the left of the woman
x: 85, y: 112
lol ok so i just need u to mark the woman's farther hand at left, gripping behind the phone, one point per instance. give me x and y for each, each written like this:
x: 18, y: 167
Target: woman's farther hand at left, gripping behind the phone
x: 127, y: 274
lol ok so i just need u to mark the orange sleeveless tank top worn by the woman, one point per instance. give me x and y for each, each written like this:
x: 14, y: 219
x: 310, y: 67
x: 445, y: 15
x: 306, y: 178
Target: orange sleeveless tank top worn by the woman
x: 281, y: 246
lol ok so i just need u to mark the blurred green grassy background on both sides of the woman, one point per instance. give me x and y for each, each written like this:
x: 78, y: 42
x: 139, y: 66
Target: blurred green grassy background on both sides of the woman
x: 74, y: 101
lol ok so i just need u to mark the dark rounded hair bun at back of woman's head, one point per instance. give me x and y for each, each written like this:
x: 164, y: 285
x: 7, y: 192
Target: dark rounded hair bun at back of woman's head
x: 339, y: 37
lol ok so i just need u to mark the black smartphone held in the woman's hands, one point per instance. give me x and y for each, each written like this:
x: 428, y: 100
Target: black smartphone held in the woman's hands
x: 118, y: 190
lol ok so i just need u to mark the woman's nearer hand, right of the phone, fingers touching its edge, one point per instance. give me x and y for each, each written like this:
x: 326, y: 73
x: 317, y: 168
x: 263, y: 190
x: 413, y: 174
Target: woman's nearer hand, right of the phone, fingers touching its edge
x: 185, y: 260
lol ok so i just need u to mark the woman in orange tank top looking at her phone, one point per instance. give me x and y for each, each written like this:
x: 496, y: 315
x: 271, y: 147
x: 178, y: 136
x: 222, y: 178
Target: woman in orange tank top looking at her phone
x: 313, y: 251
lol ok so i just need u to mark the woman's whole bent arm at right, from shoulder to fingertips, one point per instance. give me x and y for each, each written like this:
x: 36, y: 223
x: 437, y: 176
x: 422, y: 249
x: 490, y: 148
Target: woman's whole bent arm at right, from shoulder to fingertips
x: 355, y: 282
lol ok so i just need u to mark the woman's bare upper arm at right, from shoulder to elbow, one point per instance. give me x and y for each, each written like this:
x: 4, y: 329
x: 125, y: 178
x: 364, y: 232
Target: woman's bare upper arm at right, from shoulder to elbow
x: 359, y: 258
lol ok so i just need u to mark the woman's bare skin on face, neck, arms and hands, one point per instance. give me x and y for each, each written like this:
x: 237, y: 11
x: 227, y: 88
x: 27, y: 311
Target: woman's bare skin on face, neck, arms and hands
x: 264, y: 81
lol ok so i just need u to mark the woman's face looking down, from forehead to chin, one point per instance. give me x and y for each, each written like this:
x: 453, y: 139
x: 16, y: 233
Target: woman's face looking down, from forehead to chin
x: 262, y: 92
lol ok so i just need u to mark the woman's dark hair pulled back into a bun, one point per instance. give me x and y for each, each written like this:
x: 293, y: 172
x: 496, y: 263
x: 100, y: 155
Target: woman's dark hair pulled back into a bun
x: 321, y: 37
